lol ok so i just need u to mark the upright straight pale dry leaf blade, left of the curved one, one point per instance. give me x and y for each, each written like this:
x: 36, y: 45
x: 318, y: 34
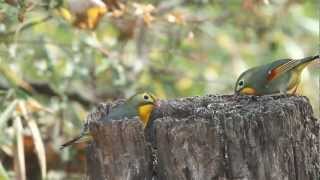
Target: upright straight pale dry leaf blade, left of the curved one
x: 19, y: 158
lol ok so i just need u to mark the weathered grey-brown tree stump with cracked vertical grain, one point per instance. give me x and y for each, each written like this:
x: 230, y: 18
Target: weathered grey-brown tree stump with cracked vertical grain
x: 211, y: 138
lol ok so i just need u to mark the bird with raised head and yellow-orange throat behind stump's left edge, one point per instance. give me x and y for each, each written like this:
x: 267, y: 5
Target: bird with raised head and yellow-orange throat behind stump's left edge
x: 140, y: 105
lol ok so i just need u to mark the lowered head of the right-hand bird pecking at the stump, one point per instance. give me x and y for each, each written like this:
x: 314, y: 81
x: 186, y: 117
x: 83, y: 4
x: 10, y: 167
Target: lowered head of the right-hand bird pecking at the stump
x: 244, y: 84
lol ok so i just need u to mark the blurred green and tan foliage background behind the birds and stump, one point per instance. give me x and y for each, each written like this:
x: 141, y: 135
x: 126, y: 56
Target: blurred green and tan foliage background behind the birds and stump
x: 58, y: 59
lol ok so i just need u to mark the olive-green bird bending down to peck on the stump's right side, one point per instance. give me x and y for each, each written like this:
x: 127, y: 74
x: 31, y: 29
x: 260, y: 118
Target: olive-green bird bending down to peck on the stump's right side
x: 281, y: 76
